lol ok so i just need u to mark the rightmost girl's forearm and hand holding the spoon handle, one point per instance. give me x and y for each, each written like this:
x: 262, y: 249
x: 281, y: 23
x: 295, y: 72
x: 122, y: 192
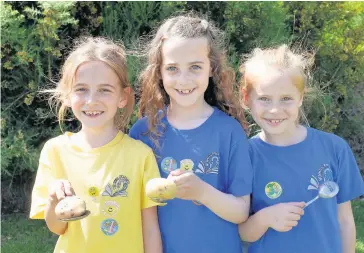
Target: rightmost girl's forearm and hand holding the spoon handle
x: 281, y: 217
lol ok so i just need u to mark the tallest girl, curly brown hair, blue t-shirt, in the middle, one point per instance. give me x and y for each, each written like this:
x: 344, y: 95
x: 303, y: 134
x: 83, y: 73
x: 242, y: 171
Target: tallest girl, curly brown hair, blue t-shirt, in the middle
x: 187, y: 99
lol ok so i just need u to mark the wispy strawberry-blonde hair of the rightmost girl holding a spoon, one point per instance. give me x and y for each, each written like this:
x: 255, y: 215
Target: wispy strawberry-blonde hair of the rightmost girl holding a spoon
x: 296, y: 65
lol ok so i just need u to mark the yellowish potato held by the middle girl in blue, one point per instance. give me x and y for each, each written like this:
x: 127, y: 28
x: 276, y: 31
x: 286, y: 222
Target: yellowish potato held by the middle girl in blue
x: 160, y: 189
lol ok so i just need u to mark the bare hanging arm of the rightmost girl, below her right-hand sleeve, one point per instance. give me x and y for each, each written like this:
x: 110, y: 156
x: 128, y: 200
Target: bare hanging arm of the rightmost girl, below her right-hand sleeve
x: 347, y: 227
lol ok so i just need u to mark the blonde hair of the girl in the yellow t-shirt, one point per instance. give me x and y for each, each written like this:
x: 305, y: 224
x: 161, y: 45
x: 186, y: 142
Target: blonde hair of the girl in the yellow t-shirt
x: 93, y: 49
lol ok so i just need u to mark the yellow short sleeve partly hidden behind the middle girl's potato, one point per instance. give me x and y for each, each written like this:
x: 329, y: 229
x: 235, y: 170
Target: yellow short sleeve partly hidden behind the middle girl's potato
x: 150, y: 171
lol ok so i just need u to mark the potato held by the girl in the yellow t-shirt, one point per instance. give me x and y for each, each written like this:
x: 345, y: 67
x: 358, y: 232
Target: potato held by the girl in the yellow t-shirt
x: 70, y: 207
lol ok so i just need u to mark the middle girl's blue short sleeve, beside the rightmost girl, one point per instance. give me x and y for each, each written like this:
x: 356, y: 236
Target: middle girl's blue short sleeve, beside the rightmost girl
x: 240, y: 167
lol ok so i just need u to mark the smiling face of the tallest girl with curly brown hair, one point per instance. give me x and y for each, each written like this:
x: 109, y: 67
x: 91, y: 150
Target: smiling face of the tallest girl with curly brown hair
x: 185, y: 70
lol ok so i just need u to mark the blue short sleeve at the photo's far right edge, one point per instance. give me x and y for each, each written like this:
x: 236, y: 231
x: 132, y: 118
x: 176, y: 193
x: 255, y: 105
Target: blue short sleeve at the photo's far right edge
x: 349, y: 179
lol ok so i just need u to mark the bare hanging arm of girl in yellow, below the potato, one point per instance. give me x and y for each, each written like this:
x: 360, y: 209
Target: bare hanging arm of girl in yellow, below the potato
x: 151, y: 233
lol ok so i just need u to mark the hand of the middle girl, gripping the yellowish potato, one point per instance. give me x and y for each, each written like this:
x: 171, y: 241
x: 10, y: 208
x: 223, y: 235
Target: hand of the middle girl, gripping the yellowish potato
x: 189, y: 186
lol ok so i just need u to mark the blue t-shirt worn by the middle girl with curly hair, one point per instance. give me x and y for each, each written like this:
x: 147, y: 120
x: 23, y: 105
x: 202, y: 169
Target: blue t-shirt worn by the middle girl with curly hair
x: 217, y: 152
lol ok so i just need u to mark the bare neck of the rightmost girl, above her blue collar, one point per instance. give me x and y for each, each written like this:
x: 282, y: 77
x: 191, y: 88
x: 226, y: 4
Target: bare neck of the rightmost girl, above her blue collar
x: 290, y: 137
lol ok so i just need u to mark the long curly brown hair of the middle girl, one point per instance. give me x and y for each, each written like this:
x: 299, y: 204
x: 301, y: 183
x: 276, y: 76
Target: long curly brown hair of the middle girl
x: 220, y: 90
